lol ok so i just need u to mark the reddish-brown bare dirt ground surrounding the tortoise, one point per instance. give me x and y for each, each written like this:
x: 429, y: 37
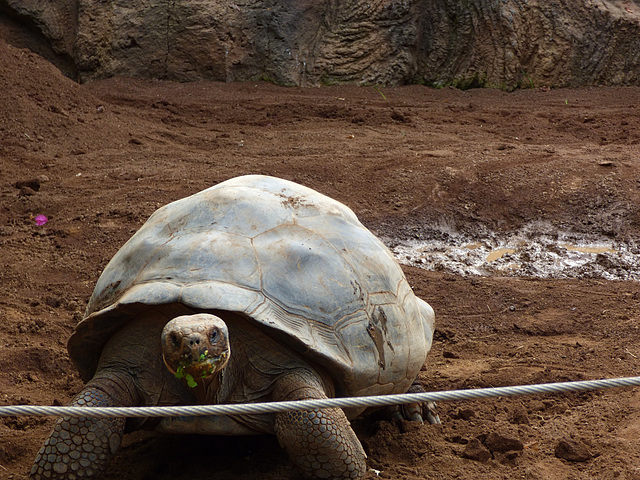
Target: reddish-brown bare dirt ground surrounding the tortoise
x: 412, y: 162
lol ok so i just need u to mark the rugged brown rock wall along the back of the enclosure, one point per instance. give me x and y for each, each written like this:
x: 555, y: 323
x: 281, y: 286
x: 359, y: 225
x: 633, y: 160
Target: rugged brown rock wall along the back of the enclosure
x: 506, y: 44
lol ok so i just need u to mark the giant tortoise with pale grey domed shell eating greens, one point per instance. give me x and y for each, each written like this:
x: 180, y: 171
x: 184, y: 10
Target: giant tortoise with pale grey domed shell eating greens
x: 256, y: 289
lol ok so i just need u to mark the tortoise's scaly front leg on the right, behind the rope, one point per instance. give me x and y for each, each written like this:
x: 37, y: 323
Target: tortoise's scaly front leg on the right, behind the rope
x: 321, y: 441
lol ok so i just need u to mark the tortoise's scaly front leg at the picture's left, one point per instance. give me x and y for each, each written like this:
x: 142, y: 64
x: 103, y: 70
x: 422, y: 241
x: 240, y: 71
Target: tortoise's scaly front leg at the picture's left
x: 79, y: 448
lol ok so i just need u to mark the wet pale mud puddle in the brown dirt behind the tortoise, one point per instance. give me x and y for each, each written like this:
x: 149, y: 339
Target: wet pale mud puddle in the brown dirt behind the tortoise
x: 525, y: 253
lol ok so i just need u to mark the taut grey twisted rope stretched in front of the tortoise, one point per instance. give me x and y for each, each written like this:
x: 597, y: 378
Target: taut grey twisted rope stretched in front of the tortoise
x: 347, y: 402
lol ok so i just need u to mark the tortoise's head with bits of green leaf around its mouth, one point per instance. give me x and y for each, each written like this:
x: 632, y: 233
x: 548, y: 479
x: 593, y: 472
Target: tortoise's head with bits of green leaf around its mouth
x: 195, y: 347
